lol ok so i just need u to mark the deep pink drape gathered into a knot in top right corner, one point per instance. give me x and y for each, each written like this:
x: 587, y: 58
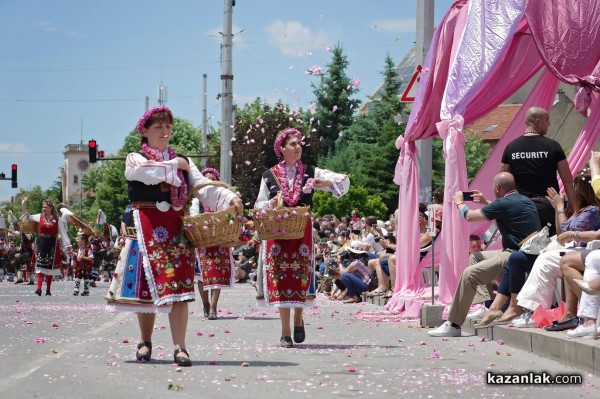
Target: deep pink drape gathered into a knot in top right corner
x: 567, y: 34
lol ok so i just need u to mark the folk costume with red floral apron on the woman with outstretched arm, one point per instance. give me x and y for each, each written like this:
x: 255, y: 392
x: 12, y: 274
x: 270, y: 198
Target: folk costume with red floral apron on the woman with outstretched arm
x: 288, y: 264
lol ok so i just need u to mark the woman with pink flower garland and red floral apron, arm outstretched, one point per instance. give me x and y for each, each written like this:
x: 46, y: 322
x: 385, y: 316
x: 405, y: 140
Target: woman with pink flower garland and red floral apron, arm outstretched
x: 287, y: 264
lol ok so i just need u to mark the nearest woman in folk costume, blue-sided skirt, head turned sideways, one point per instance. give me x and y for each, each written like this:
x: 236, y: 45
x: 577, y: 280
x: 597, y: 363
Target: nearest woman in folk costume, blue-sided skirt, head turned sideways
x: 155, y: 272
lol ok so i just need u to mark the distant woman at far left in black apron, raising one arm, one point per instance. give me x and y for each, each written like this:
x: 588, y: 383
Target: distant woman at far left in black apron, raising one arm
x: 51, y: 237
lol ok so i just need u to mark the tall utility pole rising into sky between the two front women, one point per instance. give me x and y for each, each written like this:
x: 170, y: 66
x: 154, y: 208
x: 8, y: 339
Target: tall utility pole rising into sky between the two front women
x: 226, y: 94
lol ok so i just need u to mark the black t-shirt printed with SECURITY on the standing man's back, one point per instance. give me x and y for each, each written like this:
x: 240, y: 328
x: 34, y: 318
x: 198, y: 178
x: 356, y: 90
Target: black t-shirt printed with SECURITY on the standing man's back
x: 533, y: 162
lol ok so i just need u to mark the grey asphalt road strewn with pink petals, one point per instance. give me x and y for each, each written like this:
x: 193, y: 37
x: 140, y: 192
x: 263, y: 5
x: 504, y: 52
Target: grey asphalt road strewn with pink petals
x: 70, y: 347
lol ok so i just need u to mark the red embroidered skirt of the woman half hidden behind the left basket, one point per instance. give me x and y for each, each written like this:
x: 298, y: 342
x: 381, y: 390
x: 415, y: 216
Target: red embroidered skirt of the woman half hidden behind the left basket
x: 216, y: 267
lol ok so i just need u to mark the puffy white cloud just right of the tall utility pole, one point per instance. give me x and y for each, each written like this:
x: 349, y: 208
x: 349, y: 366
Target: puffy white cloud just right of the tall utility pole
x: 293, y: 38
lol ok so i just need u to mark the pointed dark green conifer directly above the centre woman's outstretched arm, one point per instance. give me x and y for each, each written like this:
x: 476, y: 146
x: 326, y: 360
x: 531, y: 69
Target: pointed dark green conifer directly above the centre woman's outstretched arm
x: 334, y: 105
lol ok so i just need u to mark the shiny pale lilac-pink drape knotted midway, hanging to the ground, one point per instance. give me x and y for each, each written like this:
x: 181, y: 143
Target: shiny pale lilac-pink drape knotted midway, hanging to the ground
x: 489, y: 31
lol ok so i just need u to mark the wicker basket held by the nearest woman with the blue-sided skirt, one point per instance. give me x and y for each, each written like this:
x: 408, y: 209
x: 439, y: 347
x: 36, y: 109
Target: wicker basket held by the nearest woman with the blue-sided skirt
x: 213, y: 229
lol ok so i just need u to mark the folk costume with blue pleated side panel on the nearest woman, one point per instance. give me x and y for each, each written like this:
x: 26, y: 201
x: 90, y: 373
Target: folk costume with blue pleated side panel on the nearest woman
x: 156, y: 264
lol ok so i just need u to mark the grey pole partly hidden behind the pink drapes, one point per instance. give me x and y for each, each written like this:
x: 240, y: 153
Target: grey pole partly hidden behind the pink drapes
x: 424, y: 147
